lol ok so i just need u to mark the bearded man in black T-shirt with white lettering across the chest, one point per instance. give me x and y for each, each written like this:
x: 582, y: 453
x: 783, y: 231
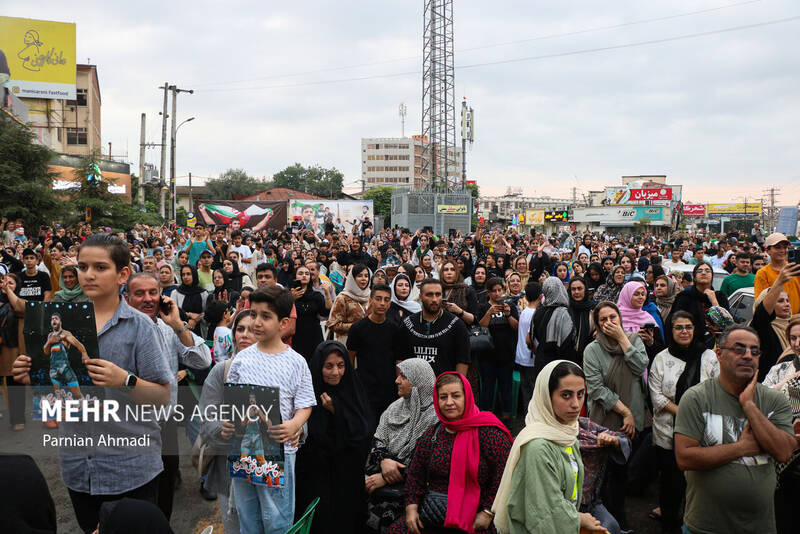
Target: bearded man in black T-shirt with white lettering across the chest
x: 436, y: 335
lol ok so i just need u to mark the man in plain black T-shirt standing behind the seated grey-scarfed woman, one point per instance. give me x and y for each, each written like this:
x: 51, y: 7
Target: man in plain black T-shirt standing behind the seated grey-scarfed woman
x: 373, y: 343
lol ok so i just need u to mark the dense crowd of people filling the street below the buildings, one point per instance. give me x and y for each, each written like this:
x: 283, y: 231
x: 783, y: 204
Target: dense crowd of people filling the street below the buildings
x: 403, y: 358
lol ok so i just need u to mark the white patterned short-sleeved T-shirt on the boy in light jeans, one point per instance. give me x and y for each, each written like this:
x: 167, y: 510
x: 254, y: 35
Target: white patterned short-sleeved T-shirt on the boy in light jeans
x: 286, y: 370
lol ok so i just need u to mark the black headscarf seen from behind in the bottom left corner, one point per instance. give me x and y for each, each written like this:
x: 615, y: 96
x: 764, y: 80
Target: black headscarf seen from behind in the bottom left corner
x: 27, y: 504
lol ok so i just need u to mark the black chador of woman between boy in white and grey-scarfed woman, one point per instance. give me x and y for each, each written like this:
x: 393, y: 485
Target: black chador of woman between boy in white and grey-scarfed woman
x: 330, y: 465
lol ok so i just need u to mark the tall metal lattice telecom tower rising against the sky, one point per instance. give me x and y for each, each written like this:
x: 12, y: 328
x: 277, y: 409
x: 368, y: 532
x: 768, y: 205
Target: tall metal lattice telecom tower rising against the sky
x: 438, y: 170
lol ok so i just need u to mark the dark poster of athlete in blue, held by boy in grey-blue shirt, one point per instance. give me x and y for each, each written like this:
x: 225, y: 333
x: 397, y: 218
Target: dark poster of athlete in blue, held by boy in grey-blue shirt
x: 59, y: 338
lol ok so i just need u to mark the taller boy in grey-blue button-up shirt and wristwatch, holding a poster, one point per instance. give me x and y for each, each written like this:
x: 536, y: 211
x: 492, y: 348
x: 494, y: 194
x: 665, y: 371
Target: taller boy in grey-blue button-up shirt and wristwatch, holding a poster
x: 133, y: 370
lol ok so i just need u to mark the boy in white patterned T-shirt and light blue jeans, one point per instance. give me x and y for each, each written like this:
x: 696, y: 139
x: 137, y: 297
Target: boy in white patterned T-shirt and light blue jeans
x: 272, y: 364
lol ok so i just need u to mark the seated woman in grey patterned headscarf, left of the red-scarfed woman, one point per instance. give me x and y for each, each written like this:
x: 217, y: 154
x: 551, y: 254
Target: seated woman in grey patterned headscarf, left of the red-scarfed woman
x: 399, y: 429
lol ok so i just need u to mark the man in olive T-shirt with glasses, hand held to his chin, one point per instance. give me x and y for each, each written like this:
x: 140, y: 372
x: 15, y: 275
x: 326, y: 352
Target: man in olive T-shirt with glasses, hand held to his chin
x: 729, y: 432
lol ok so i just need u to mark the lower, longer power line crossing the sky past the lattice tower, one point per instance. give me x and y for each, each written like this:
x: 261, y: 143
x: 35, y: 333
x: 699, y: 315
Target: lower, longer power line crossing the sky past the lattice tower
x: 520, y: 59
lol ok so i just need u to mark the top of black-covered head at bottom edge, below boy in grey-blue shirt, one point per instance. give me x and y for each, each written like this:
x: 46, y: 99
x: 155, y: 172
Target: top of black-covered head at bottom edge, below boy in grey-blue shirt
x: 132, y: 516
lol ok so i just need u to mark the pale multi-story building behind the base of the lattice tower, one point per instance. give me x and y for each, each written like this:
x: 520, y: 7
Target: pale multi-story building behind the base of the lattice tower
x: 397, y: 162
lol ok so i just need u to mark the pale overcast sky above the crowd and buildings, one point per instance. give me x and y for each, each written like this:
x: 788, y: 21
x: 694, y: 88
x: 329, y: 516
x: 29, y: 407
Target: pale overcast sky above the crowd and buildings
x: 717, y: 113
